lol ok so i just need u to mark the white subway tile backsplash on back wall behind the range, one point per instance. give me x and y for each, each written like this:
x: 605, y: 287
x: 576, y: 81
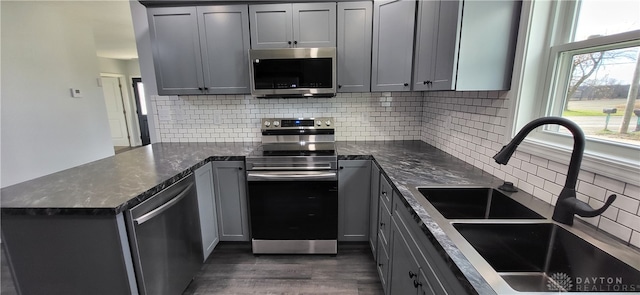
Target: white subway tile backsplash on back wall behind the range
x: 236, y: 118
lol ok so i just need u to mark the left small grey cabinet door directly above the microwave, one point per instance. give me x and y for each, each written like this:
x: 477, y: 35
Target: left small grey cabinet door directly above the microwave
x: 271, y: 26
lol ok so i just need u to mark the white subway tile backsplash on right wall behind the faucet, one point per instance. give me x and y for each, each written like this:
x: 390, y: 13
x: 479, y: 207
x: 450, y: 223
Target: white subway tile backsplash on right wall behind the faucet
x: 460, y: 122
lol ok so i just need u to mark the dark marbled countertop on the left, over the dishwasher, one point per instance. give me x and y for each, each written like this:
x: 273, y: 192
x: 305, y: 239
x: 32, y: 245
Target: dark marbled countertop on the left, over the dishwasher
x: 114, y: 184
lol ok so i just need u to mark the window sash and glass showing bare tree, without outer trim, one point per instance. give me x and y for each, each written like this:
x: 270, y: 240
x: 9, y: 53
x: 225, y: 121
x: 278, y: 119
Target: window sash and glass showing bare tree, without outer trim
x: 594, y: 71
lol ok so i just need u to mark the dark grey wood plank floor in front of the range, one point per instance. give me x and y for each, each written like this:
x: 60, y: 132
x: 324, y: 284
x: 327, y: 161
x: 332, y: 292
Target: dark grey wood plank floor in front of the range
x: 232, y: 269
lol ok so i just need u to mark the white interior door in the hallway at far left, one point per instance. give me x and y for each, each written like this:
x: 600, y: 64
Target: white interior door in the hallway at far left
x: 115, y: 111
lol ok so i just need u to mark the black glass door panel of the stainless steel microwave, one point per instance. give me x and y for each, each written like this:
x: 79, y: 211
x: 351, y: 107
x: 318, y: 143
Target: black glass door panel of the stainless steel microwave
x: 293, y: 73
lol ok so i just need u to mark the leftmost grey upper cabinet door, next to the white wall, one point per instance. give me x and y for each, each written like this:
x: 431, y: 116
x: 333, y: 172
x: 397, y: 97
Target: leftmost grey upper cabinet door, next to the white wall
x: 176, y: 50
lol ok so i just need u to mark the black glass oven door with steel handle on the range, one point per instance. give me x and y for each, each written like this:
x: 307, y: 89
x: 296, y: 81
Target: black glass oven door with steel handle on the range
x: 293, y: 205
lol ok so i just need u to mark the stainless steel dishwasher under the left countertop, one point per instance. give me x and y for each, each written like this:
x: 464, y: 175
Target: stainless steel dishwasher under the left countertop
x: 164, y: 232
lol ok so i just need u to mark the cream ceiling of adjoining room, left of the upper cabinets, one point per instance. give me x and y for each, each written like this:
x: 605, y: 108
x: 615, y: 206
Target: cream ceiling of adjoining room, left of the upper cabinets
x: 111, y: 22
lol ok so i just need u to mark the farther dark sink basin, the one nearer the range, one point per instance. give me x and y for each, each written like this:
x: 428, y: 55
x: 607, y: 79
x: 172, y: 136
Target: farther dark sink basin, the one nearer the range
x: 476, y: 203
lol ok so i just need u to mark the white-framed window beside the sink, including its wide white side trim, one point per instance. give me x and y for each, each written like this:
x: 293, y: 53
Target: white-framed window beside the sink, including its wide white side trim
x: 591, y: 49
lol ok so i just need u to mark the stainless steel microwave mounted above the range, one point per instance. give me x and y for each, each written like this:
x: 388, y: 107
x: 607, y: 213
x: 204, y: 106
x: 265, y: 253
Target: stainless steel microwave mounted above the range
x: 293, y: 72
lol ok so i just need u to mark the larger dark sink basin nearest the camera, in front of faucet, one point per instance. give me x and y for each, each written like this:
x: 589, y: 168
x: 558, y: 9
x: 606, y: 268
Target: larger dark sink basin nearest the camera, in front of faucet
x: 543, y: 257
